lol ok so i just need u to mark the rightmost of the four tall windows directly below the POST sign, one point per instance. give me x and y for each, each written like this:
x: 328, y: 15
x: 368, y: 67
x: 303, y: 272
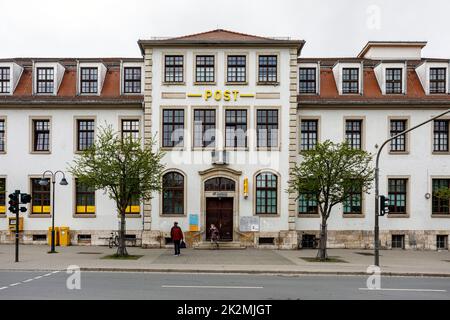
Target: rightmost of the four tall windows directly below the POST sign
x: 267, y: 128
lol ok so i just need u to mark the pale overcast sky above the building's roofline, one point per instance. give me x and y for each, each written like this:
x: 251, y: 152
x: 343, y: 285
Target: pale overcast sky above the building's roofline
x: 110, y: 28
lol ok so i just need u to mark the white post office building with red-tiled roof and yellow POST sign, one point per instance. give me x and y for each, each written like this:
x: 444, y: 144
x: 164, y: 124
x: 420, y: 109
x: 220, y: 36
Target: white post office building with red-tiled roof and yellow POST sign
x: 232, y: 113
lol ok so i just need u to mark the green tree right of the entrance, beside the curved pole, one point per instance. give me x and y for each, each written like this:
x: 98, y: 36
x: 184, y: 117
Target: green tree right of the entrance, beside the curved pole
x: 327, y: 175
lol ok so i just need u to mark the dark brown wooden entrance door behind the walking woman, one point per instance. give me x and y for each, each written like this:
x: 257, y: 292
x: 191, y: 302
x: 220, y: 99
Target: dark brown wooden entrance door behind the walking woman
x: 219, y: 211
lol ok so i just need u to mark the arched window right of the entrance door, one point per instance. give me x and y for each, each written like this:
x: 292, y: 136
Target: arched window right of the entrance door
x: 266, y: 193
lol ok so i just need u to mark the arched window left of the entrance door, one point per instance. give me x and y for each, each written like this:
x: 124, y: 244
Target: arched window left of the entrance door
x: 173, y: 193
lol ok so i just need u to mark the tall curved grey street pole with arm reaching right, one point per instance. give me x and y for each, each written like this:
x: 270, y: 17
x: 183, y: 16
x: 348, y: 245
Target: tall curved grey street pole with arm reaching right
x: 377, y: 197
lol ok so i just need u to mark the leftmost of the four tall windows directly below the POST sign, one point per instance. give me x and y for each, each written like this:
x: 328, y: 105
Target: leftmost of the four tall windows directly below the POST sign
x: 173, y: 128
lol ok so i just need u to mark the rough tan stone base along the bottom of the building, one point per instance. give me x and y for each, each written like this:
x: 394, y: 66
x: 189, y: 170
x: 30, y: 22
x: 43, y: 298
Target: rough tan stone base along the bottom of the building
x: 348, y: 239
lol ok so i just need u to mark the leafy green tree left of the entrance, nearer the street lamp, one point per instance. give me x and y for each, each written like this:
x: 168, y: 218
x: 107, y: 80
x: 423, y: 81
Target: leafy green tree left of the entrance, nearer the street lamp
x: 123, y: 169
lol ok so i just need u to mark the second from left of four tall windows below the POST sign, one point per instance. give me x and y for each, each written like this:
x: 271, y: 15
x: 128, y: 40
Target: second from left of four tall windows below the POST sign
x: 204, y: 128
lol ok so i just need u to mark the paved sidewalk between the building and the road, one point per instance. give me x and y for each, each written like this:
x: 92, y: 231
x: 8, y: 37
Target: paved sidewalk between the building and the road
x: 88, y: 258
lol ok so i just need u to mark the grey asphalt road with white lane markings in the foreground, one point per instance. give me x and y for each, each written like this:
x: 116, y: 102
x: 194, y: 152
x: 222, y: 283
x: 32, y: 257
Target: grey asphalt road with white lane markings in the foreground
x: 122, y: 285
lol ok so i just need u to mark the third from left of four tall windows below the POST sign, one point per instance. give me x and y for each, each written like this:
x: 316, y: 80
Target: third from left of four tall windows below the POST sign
x: 236, y: 128
